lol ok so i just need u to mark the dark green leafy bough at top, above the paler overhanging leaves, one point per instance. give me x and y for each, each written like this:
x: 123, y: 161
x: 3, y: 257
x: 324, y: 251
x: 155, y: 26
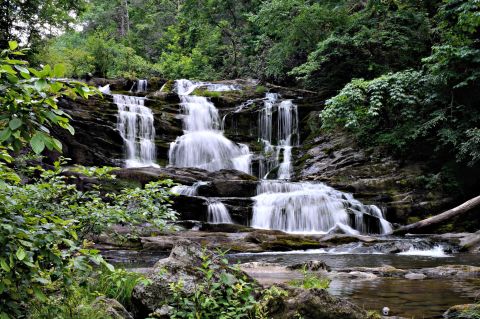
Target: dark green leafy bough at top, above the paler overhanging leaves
x: 377, y: 41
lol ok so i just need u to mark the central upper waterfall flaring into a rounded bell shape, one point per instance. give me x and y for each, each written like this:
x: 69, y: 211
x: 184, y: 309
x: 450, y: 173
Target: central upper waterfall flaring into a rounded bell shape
x: 203, y: 144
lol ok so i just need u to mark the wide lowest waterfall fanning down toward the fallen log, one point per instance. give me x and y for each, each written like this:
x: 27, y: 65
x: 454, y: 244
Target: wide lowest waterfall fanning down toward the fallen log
x: 311, y: 208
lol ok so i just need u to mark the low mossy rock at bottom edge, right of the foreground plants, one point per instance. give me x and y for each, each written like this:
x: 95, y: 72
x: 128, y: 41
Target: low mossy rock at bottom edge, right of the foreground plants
x: 313, y: 304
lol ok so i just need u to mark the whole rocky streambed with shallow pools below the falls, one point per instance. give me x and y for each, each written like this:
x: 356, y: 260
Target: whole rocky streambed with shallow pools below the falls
x: 416, y: 277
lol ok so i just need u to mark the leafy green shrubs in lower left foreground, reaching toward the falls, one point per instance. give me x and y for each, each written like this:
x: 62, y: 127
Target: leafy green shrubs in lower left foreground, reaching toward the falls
x: 42, y: 227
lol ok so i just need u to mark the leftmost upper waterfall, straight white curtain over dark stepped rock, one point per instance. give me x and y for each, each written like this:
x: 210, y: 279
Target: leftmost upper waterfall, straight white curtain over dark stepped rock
x: 135, y: 124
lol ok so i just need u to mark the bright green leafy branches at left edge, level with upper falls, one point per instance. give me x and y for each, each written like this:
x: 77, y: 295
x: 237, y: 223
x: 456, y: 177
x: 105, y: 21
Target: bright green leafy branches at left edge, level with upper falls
x: 28, y: 101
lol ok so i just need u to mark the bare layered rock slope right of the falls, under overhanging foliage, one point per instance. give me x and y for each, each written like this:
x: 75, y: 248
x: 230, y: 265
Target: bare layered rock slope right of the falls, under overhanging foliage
x: 370, y: 176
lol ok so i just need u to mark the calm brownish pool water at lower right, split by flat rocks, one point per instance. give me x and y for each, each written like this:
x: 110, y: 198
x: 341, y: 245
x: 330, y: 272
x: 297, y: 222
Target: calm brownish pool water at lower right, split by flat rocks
x: 427, y: 298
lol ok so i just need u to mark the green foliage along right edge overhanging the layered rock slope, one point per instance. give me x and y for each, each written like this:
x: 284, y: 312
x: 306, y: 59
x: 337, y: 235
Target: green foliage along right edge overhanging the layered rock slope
x: 417, y: 113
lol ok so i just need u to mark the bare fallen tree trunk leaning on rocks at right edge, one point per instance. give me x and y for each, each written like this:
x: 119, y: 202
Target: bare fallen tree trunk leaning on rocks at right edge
x: 454, y: 212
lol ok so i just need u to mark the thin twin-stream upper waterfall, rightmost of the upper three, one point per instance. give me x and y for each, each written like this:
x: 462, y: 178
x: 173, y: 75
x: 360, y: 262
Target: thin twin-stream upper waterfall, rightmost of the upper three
x: 287, y: 132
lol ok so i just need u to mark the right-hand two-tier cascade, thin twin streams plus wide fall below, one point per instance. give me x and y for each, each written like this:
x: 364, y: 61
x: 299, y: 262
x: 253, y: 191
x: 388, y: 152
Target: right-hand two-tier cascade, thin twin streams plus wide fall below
x: 301, y: 207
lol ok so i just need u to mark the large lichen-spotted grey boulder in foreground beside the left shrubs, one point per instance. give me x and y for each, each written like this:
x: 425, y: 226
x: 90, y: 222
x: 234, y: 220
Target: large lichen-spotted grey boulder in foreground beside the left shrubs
x: 182, y: 264
